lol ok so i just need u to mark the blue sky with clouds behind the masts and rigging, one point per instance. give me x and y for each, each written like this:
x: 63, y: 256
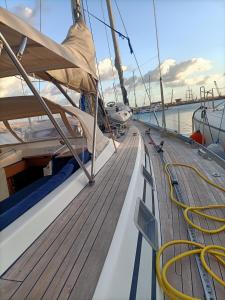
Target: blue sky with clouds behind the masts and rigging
x: 191, y: 43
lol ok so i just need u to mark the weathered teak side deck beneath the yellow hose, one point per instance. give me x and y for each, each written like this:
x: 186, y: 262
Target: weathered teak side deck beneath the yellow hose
x: 184, y: 274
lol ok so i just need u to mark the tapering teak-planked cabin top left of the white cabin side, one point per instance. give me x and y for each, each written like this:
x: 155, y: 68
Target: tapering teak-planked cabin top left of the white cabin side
x: 65, y: 262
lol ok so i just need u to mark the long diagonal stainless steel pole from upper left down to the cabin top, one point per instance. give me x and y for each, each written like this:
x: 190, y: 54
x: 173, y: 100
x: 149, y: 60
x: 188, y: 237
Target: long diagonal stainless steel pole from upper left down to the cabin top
x: 42, y: 103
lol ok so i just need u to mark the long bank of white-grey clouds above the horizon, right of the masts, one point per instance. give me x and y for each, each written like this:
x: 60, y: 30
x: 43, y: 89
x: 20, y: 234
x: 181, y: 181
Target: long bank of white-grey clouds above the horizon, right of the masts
x: 192, y: 73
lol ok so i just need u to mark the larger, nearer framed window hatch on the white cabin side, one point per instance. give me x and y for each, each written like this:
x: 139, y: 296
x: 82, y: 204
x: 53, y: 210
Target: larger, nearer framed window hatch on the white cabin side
x: 146, y: 224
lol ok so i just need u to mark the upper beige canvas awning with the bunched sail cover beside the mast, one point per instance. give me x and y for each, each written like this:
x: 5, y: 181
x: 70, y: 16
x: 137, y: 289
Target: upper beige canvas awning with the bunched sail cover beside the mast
x: 74, y: 60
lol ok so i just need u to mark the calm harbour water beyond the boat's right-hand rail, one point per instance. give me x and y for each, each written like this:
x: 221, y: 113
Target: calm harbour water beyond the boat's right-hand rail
x: 173, y: 115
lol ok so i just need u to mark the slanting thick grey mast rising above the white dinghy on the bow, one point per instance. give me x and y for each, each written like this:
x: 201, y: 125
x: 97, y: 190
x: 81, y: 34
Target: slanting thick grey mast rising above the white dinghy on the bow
x: 118, y: 64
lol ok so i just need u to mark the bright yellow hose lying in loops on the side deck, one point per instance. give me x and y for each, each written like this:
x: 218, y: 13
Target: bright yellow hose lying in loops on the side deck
x: 202, y: 250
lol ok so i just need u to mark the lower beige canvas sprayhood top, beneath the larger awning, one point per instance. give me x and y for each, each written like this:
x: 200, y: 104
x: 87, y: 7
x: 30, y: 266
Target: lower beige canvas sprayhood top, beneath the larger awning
x: 12, y: 108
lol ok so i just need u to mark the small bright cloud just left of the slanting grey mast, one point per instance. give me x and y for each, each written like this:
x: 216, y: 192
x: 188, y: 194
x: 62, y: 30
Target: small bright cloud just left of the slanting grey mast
x: 107, y: 71
